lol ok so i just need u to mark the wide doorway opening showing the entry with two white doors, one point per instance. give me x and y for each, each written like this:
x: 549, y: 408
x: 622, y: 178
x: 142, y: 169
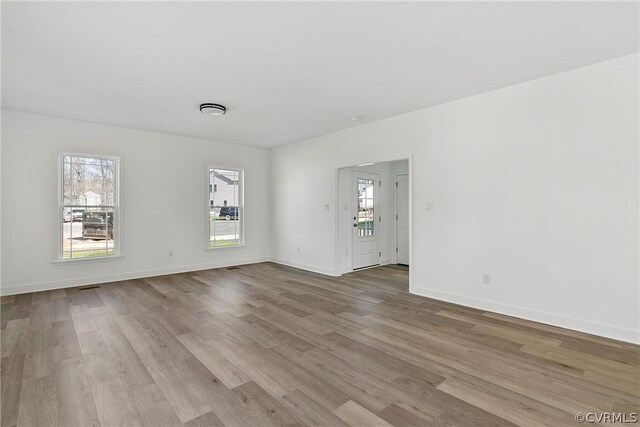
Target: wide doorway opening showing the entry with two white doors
x: 373, y: 215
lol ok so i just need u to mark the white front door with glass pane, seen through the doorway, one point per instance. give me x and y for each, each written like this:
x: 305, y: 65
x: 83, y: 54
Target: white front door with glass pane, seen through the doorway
x: 366, y: 248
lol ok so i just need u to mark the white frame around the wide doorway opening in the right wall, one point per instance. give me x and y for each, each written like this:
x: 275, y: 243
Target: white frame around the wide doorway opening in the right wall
x: 337, y: 211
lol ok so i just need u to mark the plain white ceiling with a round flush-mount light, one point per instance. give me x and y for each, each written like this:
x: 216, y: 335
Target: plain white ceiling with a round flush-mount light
x: 288, y: 71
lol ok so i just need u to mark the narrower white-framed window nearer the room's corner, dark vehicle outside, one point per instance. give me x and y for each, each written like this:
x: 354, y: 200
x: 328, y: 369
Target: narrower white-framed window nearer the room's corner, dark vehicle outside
x: 225, y: 207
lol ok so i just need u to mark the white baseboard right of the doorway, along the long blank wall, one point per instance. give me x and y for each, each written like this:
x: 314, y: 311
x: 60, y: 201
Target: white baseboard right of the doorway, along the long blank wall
x: 535, y: 316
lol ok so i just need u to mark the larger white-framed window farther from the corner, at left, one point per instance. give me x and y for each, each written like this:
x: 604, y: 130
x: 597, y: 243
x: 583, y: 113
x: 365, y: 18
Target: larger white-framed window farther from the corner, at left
x: 88, y: 206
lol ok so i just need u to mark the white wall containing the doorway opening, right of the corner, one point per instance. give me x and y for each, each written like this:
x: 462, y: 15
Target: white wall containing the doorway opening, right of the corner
x: 536, y: 184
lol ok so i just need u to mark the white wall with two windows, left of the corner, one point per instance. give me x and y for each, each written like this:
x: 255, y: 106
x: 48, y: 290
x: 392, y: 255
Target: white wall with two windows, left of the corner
x: 164, y: 198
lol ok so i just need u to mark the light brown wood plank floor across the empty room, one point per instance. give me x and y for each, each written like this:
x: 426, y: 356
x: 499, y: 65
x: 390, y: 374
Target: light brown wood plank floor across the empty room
x: 264, y: 344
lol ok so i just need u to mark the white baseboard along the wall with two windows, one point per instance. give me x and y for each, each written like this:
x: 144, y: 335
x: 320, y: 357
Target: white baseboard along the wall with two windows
x: 93, y: 280
